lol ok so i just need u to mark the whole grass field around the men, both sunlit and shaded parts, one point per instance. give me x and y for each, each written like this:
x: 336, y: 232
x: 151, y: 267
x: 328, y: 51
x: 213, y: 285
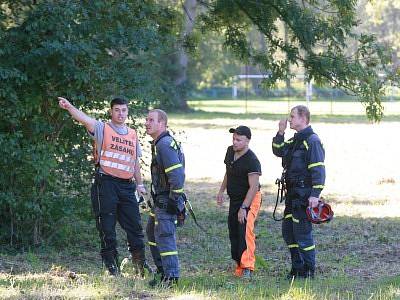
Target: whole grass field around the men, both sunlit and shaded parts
x: 358, y: 253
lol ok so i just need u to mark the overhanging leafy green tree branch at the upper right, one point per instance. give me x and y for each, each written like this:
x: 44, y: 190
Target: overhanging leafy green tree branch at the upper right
x: 319, y: 33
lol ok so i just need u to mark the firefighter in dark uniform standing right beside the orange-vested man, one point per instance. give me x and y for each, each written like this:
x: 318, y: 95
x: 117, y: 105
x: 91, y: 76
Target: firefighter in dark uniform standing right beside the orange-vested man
x: 168, y: 177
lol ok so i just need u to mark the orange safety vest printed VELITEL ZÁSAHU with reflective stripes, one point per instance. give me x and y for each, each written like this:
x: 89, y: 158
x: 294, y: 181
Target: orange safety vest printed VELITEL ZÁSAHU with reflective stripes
x: 118, y: 153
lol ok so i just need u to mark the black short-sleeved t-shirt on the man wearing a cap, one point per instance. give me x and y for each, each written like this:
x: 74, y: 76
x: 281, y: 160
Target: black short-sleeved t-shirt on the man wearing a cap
x: 237, y: 172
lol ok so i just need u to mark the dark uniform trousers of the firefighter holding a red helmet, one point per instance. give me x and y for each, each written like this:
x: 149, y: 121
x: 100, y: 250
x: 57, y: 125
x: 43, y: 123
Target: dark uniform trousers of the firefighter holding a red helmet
x: 297, y: 230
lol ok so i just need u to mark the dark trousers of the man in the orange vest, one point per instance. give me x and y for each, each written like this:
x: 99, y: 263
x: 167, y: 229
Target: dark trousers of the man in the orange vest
x: 114, y: 200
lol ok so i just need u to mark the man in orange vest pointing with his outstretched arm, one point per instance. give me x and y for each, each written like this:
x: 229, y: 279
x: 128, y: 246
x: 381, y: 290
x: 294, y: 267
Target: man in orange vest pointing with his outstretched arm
x: 117, y: 153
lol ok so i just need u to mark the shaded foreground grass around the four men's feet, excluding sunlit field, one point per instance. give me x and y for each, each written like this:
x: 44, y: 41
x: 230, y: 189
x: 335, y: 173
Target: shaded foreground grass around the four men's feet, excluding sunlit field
x: 358, y: 258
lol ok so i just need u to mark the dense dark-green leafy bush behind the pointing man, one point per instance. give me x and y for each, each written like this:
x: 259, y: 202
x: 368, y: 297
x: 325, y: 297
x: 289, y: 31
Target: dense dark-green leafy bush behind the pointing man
x: 88, y: 51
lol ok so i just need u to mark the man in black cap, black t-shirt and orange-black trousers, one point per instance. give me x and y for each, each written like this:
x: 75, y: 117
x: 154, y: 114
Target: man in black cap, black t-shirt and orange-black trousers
x: 241, y: 181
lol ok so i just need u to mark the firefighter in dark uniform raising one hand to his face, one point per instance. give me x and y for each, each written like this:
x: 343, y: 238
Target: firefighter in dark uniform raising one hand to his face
x: 304, y: 173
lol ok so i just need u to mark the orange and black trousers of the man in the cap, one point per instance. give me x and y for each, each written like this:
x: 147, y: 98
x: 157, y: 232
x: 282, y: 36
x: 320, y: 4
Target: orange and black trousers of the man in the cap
x: 242, y: 237
